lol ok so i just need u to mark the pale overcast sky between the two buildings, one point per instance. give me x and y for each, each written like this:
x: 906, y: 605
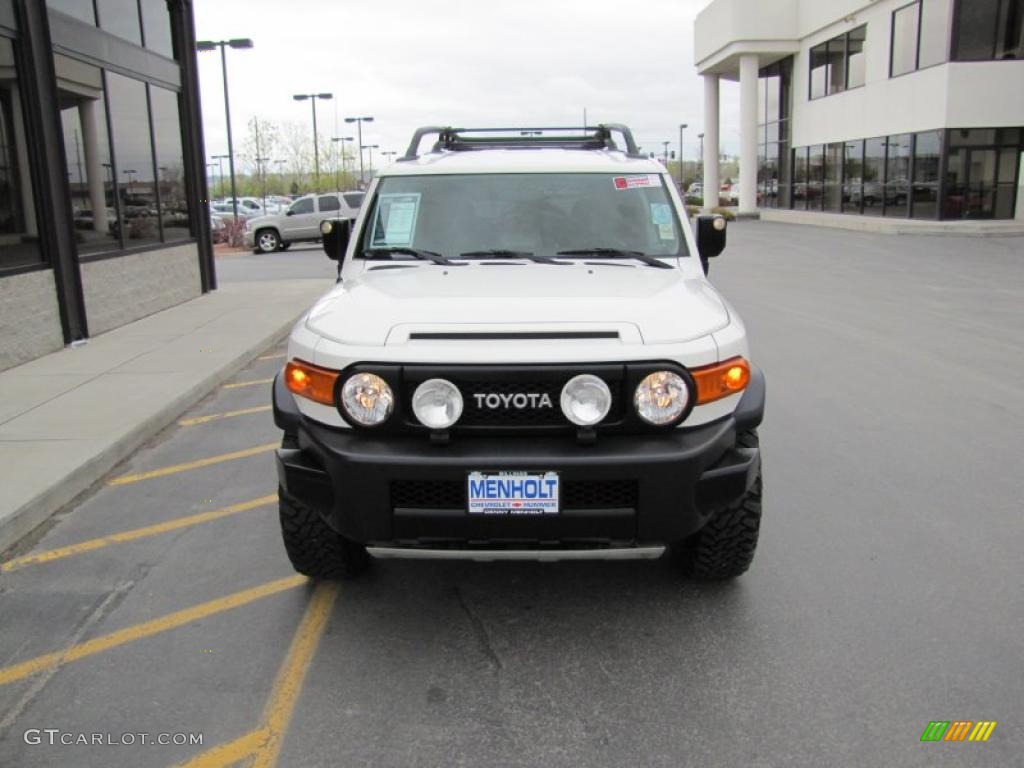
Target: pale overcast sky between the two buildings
x: 489, y: 63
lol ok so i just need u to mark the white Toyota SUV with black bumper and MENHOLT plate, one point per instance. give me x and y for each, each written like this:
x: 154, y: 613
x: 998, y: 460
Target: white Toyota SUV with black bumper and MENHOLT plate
x: 523, y: 360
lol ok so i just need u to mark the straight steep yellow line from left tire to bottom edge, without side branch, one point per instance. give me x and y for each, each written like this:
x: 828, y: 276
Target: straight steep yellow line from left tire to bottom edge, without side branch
x: 291, y: 676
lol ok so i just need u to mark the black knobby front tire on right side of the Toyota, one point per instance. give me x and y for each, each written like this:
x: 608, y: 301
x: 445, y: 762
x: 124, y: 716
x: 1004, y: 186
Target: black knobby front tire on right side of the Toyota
x: 724, y: 548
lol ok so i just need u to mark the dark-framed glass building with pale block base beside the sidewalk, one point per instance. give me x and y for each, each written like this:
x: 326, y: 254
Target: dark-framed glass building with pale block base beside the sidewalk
x: 102, y: 169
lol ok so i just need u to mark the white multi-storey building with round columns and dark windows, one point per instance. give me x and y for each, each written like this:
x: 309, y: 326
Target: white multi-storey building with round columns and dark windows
x: 901, y: 110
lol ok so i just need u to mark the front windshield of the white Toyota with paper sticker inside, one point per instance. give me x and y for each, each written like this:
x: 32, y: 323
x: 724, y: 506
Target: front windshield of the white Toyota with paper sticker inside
x: 538, y: 214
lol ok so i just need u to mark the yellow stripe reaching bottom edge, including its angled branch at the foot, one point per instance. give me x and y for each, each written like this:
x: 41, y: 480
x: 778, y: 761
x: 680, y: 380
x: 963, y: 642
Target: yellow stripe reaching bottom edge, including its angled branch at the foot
x: 264, y: 744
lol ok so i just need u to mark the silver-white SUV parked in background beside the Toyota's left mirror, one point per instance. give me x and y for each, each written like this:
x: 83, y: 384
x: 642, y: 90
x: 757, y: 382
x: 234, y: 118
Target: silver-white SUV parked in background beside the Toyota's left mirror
x: 301, y: 223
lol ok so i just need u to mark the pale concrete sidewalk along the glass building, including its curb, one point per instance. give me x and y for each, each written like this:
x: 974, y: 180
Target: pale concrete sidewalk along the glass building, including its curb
x: 69, y: 418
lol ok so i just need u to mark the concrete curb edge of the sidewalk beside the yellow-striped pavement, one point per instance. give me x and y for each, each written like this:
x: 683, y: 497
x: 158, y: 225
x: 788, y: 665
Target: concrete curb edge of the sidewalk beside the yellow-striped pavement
x: 66, y: 489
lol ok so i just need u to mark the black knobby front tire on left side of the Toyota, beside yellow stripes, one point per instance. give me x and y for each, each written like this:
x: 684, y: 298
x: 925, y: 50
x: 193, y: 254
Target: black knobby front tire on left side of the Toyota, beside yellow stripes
x: 314, y: 548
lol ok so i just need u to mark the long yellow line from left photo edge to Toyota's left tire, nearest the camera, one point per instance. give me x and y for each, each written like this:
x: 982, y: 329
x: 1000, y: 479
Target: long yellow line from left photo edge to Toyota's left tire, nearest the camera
x: 148, y: 629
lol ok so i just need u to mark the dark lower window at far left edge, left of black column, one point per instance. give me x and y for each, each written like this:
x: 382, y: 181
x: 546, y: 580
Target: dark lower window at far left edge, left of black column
x: 19, y: 222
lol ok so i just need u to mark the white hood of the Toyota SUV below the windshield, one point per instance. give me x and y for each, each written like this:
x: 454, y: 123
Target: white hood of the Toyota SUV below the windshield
x: 664, y: 307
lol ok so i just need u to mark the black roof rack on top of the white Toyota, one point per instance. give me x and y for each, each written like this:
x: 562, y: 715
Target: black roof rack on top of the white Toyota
x: 462, y: 140
